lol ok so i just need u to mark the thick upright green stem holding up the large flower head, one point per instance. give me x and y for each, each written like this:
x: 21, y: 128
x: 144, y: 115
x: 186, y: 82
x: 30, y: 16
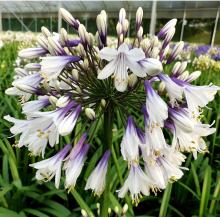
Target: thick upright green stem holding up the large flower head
x: 107, y: 140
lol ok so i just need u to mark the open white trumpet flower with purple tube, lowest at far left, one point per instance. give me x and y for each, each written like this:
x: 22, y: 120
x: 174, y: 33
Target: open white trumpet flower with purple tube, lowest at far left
x: 47, y: 169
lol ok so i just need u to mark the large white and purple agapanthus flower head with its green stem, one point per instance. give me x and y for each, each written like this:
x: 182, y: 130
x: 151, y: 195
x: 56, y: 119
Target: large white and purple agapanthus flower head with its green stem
x: 80, y: 86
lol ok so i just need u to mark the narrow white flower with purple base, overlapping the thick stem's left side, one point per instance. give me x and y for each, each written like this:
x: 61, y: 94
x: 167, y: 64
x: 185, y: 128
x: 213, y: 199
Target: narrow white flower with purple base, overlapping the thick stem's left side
x: 97, y: 178
